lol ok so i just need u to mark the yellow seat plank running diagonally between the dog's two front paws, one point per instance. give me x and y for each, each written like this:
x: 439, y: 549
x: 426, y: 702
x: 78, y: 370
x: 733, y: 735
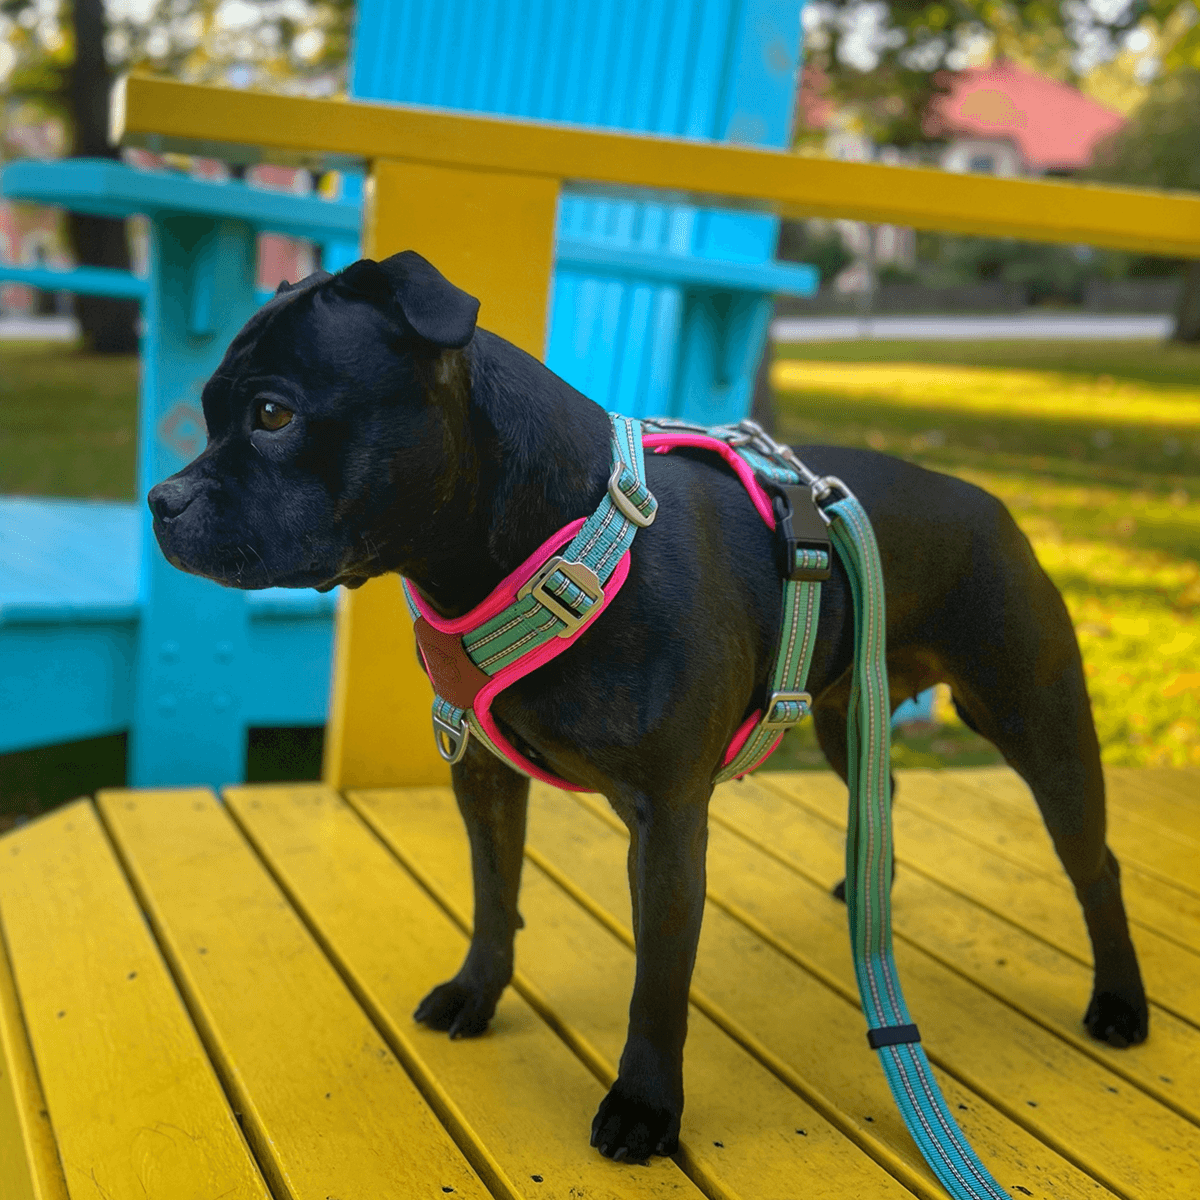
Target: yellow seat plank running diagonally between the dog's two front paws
x: 741, y: 1125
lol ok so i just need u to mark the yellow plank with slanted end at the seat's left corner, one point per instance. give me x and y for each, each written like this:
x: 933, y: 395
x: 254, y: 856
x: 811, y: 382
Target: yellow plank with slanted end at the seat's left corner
x: 134, y: 1102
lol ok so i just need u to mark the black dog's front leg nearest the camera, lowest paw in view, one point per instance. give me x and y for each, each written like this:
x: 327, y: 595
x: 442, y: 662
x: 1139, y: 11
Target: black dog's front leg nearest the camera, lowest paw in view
x: 641, y: 1113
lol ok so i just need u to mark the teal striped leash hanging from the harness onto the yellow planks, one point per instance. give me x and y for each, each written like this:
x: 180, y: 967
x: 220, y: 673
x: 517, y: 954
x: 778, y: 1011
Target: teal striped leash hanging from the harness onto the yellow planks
x: 869, y: 875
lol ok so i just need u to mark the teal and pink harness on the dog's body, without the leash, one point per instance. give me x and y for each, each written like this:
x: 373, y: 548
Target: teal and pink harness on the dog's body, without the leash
x: 551, y: 599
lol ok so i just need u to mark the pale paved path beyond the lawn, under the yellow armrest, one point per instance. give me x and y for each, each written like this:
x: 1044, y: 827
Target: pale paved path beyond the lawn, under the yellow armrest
x: 965, y: 329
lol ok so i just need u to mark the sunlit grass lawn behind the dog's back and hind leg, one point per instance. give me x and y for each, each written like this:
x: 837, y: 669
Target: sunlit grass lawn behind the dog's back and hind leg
x: 1096, y: 451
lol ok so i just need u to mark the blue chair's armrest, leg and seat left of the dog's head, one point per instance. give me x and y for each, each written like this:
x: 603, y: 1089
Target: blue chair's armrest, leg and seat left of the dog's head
x: 98, y: 633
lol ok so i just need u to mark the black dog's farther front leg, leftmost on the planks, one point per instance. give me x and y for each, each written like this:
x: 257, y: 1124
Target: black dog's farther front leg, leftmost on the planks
x: 494, y: 801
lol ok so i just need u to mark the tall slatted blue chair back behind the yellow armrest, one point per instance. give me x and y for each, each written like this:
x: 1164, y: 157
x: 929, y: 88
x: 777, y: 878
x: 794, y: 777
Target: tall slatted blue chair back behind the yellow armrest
x: 644, y: 334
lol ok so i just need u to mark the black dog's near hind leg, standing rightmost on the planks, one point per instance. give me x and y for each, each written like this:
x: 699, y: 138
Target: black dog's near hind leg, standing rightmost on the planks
x: 1035, y: 709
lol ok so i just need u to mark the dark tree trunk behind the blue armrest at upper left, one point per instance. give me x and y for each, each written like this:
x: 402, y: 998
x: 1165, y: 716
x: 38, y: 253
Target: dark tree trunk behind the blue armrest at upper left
x: 110, y: 326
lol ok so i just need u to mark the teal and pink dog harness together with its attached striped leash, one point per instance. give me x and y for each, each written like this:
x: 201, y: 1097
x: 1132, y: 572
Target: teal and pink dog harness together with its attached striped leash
x: 554, y: 597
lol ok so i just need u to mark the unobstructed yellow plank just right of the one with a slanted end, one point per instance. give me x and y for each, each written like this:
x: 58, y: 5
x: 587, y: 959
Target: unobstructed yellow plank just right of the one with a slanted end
x: 326, y: 1105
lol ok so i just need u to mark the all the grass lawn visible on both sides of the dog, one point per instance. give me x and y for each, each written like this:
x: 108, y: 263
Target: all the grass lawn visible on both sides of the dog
x: 1095, y: 448
